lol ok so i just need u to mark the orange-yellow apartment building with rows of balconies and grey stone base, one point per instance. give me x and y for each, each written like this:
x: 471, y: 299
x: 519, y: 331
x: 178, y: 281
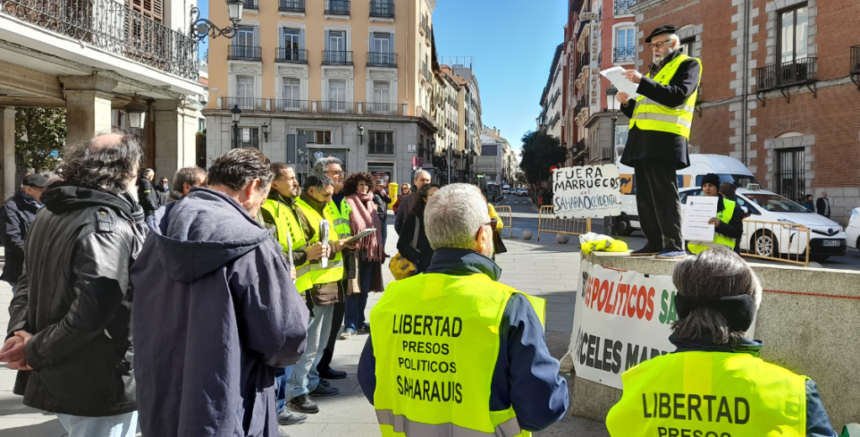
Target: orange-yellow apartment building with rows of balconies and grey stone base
x: 350, y: 79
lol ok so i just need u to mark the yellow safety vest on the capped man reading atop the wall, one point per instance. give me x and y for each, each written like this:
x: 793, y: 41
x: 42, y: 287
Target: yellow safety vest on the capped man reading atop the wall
x: 650, y: 115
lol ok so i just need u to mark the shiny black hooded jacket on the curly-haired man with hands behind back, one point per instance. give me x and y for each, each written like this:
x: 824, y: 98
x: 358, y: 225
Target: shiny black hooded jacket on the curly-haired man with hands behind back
x: 76, y: 301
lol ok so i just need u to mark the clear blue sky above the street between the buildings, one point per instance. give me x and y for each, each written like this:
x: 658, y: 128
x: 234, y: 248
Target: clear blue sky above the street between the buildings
x: 513, y: 43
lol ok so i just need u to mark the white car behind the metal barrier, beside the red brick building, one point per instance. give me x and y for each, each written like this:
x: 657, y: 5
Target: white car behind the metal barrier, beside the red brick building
x: 826, y: 237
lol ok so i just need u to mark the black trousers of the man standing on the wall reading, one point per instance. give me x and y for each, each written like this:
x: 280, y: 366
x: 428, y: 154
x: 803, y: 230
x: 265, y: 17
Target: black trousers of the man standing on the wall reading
x: 659, y: 204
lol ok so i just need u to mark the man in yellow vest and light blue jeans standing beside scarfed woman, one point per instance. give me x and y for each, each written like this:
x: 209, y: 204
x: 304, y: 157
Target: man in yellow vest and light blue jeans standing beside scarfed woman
x: 323, y: 291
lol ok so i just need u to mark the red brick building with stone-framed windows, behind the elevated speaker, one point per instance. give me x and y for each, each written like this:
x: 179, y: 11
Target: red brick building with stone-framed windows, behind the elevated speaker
x: 780, y: 89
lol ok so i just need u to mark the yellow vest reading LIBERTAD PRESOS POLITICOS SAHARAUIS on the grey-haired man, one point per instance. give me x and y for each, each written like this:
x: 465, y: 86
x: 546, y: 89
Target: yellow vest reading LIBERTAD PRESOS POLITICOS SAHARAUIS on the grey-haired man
x: 436, y: 342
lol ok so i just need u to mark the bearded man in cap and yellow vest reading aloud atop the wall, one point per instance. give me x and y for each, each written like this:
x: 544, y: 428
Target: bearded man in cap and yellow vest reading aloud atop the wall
x: 660, y: 121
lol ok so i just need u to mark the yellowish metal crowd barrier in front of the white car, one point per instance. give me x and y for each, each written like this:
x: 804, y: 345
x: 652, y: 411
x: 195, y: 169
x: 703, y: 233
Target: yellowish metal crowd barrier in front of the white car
x: 775, y: 241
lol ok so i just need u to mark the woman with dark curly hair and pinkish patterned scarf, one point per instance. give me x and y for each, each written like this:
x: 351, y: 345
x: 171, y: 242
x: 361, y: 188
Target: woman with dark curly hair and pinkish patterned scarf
x: 370, y: 251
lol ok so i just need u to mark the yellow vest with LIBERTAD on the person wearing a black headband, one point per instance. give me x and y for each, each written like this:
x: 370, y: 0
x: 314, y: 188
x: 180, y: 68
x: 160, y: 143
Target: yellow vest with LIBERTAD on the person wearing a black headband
x: 707, y: 394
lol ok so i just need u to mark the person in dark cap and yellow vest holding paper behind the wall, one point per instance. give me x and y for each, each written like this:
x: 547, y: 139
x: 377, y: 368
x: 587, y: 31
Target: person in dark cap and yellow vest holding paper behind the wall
x: 729, y: 222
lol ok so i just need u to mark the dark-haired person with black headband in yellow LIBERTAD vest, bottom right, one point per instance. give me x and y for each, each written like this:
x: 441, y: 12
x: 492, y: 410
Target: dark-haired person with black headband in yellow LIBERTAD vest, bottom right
x: 715, y: 384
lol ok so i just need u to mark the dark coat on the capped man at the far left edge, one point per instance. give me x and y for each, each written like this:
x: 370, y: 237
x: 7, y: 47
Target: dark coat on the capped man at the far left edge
x: 16, y: 216
